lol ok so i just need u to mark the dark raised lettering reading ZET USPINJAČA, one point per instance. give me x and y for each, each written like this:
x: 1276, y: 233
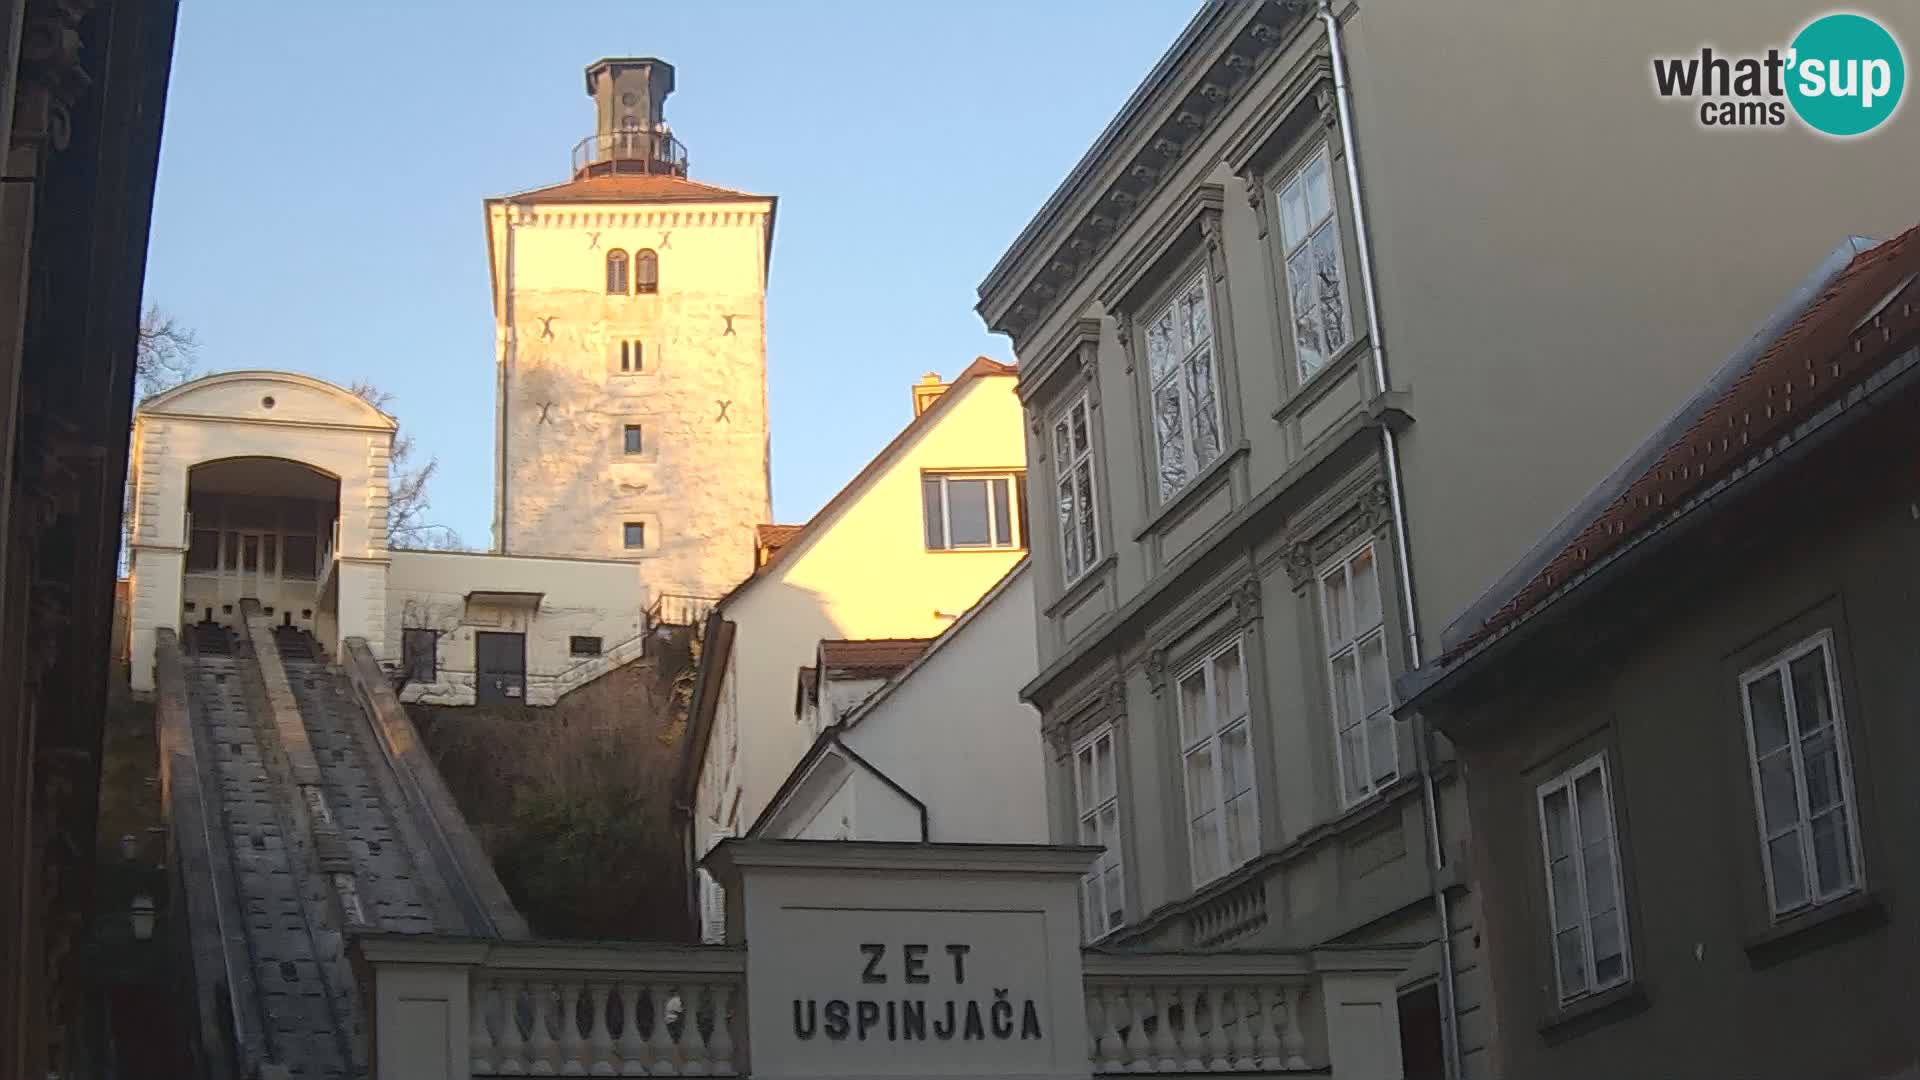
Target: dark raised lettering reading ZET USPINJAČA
x: 917, y: 996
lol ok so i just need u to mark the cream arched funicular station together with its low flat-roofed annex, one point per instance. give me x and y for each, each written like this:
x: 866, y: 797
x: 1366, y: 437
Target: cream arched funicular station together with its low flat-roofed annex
x: 272, y: 487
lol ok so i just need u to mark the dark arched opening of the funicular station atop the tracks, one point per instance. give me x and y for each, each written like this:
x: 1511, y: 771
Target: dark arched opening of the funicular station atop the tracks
x: 260, y: 529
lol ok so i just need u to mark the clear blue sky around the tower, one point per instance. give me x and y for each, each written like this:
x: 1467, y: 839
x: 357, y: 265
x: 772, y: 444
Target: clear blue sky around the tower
x: 324, y: 168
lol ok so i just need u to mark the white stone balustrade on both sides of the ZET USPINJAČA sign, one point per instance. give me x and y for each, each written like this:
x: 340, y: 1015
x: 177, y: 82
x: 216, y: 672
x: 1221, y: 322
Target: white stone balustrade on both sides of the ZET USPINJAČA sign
x: 571, y: 1010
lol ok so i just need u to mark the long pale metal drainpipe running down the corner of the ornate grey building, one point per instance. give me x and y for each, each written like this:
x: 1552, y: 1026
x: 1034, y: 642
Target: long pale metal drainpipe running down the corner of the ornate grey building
x: 1403, y: 549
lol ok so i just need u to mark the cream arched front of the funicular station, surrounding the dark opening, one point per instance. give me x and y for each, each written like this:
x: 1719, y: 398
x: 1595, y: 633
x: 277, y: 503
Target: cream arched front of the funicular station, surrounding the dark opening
x: 229, y: 416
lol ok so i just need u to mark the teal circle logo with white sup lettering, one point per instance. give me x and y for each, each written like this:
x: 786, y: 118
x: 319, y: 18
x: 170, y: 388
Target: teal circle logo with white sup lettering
x: 1846, y: 74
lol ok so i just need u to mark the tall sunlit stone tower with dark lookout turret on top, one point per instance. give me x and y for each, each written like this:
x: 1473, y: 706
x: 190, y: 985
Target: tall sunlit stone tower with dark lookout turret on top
x: 631, y: 341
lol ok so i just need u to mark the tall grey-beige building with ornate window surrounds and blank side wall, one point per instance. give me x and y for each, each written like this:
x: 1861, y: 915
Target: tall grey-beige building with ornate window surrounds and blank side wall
x: 1266, y: 514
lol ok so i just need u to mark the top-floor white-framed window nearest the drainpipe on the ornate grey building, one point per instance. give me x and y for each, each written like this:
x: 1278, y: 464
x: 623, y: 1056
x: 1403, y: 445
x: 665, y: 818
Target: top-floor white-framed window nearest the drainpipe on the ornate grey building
x: 1316, y: 270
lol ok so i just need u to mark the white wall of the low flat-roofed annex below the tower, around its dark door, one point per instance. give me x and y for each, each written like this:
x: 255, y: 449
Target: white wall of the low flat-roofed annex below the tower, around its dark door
x: 579, y: 597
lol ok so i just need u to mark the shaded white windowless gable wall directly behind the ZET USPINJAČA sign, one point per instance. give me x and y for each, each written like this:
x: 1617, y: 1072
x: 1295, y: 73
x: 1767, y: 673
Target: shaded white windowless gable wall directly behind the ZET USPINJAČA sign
x: 957, y: 735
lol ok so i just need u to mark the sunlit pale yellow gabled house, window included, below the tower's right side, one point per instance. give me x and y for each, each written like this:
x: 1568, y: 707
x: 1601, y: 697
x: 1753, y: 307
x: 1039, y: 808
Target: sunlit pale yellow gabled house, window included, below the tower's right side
x: 901, y: 552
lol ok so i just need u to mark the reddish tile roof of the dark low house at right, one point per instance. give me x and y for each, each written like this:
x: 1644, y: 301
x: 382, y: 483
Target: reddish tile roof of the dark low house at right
x: 1835, y: 345
